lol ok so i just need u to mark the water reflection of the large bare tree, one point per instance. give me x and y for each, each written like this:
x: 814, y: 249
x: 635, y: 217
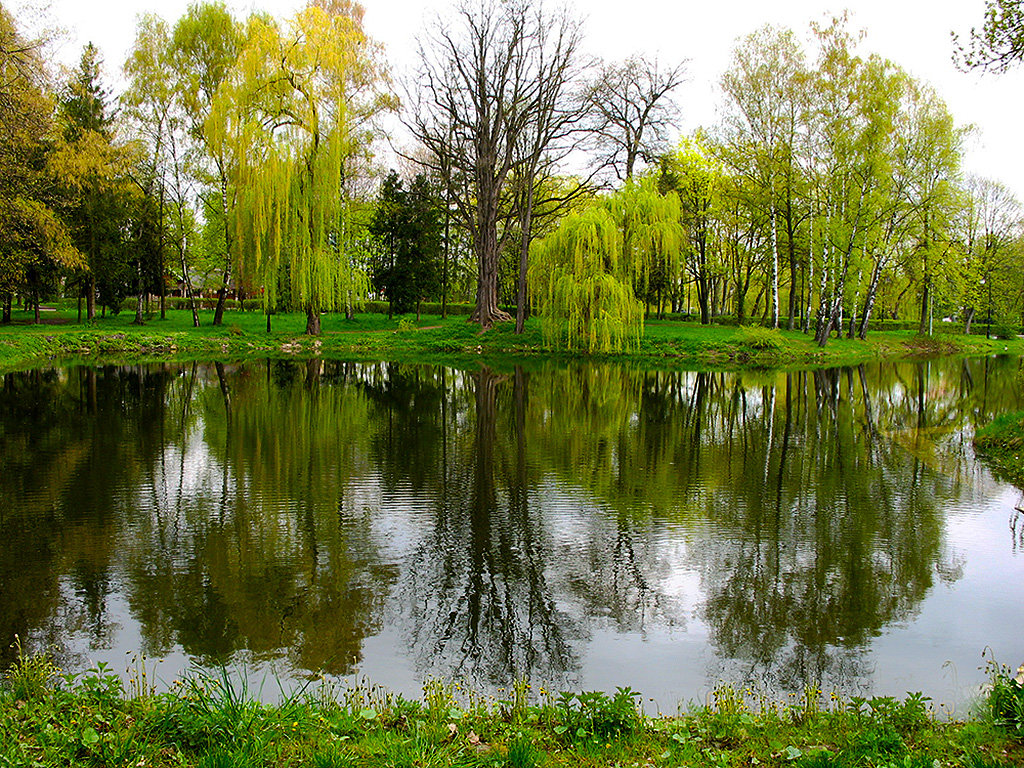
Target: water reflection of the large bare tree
x: 481, y: 605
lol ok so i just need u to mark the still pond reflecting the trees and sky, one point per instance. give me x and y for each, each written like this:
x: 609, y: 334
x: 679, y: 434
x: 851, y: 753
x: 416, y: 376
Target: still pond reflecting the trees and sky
x: 580, y: 527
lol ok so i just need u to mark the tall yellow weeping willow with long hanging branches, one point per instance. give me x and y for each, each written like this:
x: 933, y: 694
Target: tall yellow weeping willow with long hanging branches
x: 300, y: 107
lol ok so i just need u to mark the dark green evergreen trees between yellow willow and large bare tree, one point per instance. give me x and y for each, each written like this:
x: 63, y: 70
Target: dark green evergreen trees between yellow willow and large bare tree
x: 407, y: 226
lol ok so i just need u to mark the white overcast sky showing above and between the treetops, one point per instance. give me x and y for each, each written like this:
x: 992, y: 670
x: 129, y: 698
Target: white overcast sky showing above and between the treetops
x: 915, y: 34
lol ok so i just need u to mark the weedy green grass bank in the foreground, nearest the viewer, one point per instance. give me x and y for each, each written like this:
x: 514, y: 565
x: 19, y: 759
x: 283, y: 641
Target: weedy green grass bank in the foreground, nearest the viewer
x: 52, y: 719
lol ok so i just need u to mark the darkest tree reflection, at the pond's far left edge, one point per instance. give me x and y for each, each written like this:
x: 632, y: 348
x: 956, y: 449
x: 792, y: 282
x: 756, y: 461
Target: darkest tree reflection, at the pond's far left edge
x: 64, y: 468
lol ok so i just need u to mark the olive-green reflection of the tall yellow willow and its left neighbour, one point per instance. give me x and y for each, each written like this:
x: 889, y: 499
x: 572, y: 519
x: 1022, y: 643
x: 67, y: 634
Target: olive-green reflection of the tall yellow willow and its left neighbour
x: 272, y: 557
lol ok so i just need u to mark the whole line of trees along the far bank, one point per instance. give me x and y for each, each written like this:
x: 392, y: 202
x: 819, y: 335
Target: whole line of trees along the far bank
x: 243, y: 158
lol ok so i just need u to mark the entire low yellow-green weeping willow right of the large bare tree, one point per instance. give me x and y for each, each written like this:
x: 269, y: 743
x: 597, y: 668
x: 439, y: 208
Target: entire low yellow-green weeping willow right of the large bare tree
x: 586, y: 276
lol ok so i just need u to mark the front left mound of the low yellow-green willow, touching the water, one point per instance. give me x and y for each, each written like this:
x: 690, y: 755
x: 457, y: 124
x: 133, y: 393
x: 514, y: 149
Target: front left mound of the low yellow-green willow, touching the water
x: 578, y: 286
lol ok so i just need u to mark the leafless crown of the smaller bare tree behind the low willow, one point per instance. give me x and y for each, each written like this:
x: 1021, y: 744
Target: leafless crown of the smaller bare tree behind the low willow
x: 633, y: 112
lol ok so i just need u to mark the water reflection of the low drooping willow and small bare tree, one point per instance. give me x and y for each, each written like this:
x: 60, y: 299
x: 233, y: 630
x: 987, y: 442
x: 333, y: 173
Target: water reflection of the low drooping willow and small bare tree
x: 617, y: 434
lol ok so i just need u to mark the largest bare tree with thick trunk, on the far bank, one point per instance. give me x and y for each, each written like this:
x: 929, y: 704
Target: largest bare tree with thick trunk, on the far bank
x: 490, y: 103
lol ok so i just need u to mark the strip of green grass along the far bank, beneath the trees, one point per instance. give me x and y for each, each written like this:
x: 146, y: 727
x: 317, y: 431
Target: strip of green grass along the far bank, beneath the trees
x: 666, y: 344
